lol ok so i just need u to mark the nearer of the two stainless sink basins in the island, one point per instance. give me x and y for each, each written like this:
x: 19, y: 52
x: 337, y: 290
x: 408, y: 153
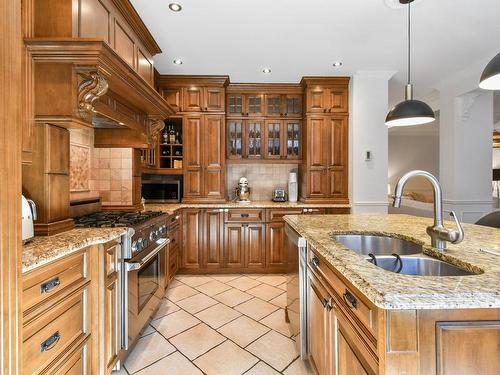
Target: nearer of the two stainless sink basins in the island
x: 419, y: 266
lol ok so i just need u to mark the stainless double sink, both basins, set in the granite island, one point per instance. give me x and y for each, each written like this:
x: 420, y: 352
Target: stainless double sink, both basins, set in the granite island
x: 398, y: 255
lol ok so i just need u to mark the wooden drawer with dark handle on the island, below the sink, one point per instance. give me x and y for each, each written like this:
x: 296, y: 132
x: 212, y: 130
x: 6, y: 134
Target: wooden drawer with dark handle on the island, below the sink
x: 347, y: 297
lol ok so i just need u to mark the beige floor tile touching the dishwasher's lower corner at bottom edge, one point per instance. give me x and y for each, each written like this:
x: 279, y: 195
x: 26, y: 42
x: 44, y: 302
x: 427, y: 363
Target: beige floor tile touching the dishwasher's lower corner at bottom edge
x: 274, y: 349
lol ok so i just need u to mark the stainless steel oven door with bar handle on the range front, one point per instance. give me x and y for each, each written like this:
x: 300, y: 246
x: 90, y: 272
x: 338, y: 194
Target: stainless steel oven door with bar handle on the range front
x: 144, y: 287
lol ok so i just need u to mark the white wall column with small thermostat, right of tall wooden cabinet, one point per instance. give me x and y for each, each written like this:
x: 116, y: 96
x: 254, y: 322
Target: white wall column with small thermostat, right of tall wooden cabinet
x: 368, y: 132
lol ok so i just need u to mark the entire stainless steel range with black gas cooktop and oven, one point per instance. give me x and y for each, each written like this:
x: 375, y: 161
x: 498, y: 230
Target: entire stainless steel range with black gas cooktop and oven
x: 143, y: 276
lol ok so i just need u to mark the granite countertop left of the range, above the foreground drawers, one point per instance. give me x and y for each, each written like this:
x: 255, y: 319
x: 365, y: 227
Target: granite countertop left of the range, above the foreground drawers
x: 43, y: 250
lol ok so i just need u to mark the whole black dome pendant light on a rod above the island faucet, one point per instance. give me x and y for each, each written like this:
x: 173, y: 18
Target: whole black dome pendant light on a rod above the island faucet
x: 410, y: 111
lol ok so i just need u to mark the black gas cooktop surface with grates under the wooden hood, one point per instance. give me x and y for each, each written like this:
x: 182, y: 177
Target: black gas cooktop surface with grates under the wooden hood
x: 115, y: 219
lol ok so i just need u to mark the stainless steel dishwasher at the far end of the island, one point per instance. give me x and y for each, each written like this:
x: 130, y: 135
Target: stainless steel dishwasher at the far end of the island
x: 296, y: 293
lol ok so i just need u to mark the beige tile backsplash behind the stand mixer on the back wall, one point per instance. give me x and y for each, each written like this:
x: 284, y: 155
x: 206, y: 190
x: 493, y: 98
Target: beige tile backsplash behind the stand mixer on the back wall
x: 262, y: 178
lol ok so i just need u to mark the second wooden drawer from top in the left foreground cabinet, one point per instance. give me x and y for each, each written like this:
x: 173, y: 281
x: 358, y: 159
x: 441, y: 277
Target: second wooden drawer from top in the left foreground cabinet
x: 54, y: 331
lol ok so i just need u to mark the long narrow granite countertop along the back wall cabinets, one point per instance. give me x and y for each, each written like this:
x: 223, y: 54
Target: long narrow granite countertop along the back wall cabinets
x: 171, y: 207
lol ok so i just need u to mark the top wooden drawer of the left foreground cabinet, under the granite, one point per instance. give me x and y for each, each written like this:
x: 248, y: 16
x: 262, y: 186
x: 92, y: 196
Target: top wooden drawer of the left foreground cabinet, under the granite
x: 41, y: 284
